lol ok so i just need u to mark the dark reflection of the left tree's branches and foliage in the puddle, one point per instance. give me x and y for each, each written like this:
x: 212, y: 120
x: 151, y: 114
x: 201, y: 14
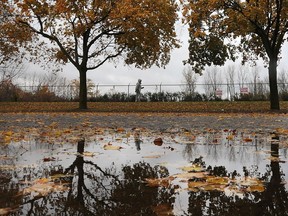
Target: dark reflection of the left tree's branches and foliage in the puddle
x: 93, y: 190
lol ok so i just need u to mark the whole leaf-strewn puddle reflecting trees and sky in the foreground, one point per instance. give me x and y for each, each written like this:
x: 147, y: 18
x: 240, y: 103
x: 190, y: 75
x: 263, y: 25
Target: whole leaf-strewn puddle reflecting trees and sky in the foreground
x: 141, y: 172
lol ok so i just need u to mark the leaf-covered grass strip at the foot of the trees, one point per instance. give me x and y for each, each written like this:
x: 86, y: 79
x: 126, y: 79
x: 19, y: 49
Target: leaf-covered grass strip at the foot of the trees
x: 192, y: 107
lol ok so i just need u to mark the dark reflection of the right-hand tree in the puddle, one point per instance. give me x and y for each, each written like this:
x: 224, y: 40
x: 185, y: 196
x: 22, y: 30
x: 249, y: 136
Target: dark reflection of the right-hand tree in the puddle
x: 273, y: 201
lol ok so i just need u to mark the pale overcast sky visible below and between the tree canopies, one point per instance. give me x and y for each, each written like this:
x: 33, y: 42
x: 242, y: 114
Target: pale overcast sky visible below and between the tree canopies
x: 110, y: 73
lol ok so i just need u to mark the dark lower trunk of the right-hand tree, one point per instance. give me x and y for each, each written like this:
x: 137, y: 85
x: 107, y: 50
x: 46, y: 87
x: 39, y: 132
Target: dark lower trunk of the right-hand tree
x: 274, y: 97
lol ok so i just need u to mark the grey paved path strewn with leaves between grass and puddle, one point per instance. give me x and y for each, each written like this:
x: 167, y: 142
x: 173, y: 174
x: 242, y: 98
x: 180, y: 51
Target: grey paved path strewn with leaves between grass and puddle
x: 153, y: 121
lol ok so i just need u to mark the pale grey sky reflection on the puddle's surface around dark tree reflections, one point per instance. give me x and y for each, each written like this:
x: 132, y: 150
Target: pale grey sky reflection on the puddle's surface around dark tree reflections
x: 175, y: 153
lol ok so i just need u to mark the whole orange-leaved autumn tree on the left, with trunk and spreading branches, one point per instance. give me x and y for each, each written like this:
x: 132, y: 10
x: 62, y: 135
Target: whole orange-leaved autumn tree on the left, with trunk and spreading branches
x: 88, y: 33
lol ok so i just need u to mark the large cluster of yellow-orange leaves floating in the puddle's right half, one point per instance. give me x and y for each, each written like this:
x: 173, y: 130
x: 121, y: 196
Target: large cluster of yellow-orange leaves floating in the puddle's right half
x: 198, y: 178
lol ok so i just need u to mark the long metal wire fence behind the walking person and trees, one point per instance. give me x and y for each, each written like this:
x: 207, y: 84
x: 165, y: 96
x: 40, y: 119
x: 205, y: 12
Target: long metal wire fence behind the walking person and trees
x: 227, y: 91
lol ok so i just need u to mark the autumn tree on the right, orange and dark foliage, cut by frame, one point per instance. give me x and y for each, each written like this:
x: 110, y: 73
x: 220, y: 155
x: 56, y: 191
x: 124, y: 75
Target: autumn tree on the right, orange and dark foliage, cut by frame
x: 259, y: 25
